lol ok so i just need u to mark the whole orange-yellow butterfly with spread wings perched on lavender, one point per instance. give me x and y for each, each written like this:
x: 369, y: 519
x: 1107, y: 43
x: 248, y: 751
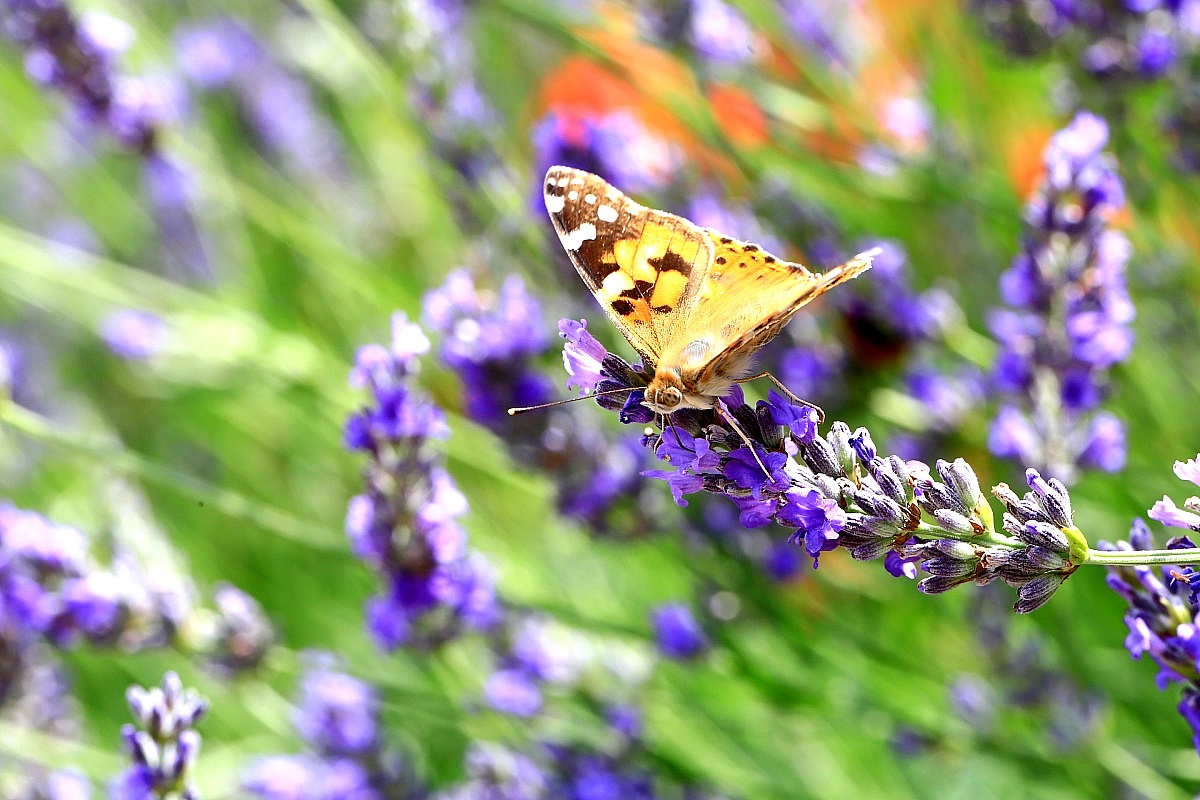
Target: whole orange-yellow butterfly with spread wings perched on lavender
x: 695, y: 304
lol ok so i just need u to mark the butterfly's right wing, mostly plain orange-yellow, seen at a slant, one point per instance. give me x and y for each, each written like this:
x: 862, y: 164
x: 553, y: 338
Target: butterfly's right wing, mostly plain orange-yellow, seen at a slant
x: 747, y: 299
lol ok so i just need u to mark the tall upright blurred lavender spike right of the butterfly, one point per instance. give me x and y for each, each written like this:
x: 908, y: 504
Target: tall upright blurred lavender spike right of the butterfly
x: 1070, y: 316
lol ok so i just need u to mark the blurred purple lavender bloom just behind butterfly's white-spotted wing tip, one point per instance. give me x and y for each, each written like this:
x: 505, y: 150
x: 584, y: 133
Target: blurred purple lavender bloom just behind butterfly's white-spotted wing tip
x: 616, y: 146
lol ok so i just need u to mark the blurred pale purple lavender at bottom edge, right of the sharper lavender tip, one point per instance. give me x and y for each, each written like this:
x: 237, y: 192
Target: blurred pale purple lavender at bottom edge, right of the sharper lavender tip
x: 338, y: 718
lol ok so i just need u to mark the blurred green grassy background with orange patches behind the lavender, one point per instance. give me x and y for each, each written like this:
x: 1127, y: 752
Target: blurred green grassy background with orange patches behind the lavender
x: 220, y: 458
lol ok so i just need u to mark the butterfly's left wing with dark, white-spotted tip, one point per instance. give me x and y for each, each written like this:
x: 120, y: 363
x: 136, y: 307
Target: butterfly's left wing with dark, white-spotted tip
x: 645, y: 267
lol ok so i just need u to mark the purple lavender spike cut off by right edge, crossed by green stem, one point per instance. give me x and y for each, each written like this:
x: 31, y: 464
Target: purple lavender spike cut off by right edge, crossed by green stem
x: 1162, y: 618
